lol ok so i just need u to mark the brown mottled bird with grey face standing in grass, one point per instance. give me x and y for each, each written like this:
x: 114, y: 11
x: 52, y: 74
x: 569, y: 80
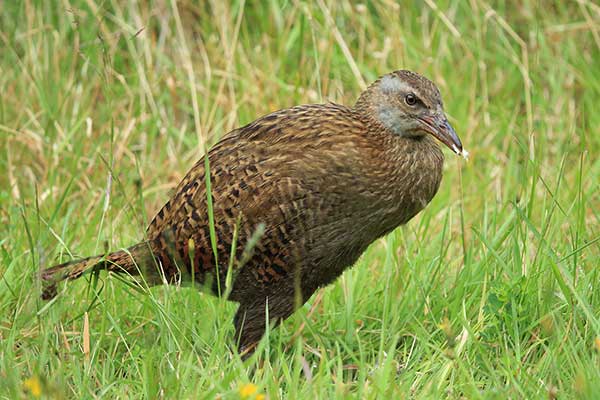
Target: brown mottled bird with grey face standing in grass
x: 284, y: 205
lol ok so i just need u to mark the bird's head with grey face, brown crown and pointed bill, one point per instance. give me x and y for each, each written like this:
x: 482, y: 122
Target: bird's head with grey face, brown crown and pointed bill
x: 409, y: 105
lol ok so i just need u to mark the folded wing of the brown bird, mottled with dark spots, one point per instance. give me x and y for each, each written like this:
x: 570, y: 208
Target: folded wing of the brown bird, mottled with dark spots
x: 255, y: 178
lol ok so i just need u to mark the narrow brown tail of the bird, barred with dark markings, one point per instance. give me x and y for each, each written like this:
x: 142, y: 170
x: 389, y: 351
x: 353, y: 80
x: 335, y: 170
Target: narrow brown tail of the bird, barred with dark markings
x: 132, y: 261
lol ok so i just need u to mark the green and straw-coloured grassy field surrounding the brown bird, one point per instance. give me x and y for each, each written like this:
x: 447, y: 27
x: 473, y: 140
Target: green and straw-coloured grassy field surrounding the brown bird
x: 491, y: 292
